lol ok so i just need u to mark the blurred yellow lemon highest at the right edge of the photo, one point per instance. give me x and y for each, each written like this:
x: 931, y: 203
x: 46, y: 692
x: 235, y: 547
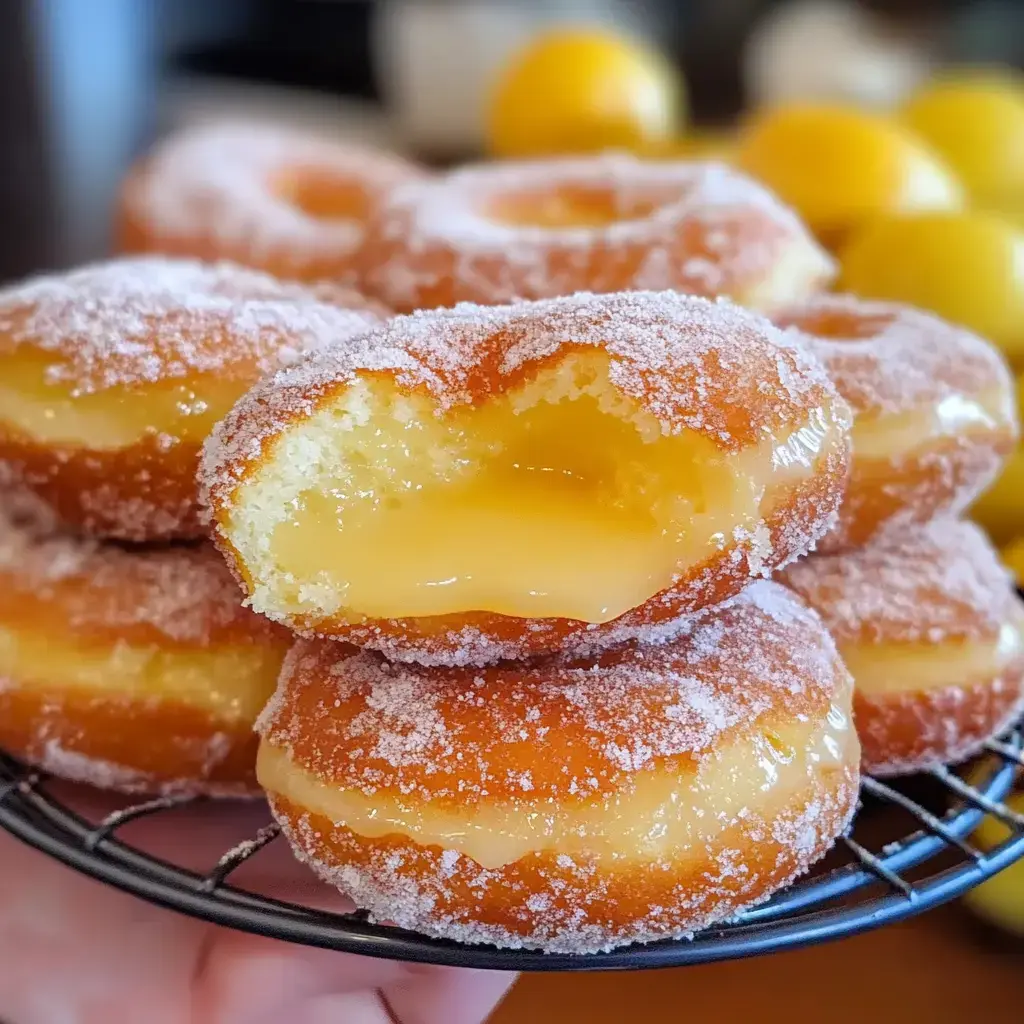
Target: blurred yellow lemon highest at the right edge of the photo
x: 976, y: 122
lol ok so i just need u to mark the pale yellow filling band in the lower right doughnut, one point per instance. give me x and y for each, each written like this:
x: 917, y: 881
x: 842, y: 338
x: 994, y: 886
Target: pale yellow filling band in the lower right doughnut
x: 894, y: 668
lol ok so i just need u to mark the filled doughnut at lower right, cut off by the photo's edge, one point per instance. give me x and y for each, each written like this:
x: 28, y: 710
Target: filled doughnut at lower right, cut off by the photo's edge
x: 933, y: 633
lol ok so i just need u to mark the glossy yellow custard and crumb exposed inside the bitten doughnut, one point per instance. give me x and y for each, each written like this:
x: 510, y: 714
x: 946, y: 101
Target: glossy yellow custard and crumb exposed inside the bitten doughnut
x: 560, y: 500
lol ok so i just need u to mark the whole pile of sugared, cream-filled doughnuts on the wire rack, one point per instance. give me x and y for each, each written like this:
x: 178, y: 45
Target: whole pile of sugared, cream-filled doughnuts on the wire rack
x: 492, y: 579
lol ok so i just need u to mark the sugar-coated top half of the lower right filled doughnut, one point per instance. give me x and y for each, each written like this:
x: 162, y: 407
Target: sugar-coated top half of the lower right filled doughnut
x: 931, y: 584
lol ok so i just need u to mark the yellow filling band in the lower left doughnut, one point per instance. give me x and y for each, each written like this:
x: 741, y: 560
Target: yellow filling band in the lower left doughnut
x: 233, y: 684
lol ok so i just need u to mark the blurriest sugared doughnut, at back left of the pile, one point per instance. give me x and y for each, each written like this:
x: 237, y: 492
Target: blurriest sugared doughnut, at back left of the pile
x: 269, y: 197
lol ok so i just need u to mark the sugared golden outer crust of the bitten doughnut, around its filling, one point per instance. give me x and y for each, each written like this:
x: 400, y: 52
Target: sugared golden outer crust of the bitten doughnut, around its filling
x: 681, y: 363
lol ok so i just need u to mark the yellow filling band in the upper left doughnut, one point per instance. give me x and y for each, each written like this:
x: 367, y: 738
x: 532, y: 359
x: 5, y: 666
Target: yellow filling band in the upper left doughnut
x: 113, y: 419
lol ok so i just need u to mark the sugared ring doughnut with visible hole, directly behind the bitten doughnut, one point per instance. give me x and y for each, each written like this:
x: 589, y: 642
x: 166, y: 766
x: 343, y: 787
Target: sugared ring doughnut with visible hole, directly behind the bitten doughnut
x: 498, y: 233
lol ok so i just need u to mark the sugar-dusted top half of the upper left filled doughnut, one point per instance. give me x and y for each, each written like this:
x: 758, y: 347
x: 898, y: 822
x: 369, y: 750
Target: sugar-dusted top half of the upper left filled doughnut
x: 141, y: 321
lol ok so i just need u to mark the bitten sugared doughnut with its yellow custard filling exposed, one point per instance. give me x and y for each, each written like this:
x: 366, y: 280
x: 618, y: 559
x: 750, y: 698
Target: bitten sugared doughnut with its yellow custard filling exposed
x: 475, y: 484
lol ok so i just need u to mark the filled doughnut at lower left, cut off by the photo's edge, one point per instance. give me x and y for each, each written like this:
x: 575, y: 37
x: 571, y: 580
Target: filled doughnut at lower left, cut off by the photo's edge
x: 134, y: 670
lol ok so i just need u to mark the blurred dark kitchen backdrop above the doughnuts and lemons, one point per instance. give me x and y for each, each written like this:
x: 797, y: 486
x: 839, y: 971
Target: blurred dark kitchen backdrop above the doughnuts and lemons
x: 86, y: 86
